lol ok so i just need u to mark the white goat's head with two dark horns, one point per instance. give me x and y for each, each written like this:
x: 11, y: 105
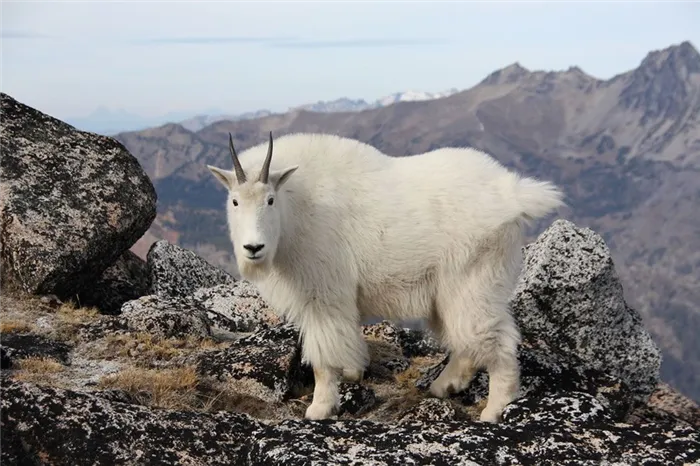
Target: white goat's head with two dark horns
x: 254, y: 208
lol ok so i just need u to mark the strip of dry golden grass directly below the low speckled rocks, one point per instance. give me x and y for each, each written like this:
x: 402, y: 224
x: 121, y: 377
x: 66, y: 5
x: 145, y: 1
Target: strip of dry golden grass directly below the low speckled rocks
x: 145, y: 350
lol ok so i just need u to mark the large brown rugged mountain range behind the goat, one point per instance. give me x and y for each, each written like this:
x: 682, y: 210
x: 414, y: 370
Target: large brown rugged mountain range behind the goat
x: 625, y: 150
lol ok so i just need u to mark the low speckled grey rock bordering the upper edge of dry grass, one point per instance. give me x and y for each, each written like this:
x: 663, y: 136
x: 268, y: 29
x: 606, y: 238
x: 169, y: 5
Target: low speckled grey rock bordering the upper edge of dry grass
x: 166, y: 317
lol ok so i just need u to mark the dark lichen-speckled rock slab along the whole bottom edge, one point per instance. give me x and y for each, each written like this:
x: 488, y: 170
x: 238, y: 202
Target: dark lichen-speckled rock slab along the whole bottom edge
x: 62, y: 427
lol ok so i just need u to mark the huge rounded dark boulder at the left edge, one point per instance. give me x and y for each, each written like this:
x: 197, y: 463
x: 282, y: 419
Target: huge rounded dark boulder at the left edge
x: 71, y: 202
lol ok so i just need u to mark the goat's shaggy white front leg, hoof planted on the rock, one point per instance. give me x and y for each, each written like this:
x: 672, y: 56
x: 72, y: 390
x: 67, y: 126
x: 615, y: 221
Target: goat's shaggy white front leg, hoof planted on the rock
x: 333, y: 344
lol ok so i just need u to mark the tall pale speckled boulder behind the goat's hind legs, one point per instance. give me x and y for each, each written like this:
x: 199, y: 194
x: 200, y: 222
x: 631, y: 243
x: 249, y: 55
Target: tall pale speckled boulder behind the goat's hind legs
x: 570, y: 299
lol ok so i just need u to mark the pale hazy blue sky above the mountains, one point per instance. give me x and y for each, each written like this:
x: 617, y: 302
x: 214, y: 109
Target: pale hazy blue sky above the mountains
x: 153, y: 57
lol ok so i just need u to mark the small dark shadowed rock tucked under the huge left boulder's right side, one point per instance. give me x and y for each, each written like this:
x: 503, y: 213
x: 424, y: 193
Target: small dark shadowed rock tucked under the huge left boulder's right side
x: 127, y: 279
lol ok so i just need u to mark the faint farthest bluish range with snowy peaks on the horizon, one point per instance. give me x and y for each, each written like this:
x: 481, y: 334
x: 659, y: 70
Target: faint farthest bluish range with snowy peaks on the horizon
x: 110, y: 122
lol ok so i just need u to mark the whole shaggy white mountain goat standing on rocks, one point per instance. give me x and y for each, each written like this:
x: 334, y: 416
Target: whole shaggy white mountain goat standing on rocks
x: 332, y: 231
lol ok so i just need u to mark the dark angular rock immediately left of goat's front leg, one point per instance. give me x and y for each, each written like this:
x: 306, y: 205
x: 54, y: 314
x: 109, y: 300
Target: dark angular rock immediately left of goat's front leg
x: 266, y: 365
